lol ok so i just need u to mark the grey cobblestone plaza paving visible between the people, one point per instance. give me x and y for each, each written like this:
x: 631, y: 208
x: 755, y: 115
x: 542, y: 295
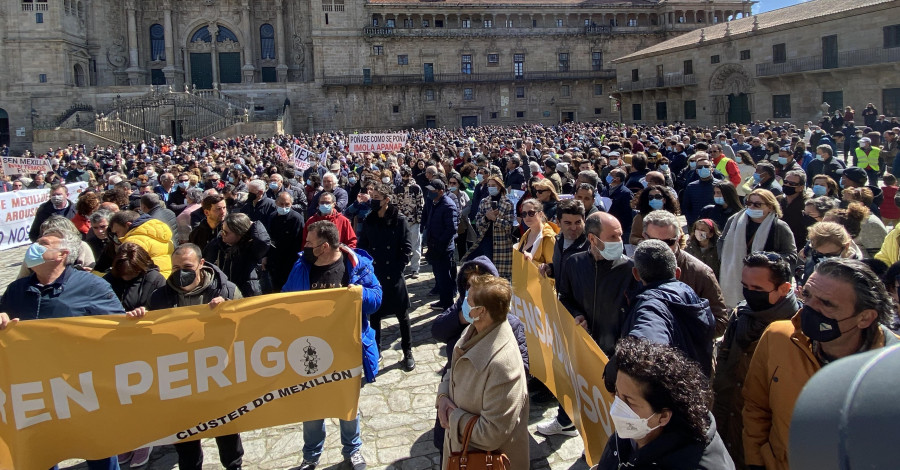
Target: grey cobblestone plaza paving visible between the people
x: 397, y: 411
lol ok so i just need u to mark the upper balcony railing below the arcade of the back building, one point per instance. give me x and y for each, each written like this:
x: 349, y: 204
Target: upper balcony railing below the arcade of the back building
x: 386, y: 31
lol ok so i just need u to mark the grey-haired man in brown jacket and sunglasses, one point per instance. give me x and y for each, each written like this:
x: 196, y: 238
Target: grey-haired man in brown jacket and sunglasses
x: 664, y: 226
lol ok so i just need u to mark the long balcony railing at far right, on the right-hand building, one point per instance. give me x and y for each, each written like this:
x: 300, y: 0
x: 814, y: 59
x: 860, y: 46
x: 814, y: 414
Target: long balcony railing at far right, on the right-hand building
x: 857, y: 58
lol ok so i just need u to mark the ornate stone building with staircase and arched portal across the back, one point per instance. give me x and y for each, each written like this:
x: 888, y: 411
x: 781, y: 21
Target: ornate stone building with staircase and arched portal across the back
x: 326, y: 63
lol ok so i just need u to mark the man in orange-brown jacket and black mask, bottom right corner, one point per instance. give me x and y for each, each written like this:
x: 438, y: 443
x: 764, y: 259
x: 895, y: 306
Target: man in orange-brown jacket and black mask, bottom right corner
x: 846, y: 310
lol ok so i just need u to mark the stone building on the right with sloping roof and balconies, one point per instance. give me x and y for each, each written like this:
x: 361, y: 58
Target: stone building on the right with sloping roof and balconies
x: 785, y: 65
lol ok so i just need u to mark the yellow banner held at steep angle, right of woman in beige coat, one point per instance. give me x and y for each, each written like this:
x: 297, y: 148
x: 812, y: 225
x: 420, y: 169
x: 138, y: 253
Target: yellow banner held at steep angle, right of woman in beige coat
x: 563, y: 356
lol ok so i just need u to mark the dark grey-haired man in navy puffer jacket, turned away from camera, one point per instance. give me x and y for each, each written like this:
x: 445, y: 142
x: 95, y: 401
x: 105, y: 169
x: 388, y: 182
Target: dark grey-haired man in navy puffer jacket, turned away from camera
x: 666, y: 310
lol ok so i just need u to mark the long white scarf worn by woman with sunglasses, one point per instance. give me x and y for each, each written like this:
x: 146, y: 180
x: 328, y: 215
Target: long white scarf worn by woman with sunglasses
x: 734, y: 250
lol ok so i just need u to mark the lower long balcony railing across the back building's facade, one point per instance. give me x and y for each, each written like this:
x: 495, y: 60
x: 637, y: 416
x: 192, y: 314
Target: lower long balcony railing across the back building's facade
x: 466, y: 78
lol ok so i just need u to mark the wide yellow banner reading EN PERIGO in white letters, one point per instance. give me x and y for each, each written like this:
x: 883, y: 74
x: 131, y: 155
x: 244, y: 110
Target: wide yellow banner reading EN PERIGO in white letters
x: 93, y: 387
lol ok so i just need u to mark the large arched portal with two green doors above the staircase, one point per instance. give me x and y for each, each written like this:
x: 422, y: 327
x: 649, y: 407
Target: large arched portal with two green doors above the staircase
x: 216, y: 61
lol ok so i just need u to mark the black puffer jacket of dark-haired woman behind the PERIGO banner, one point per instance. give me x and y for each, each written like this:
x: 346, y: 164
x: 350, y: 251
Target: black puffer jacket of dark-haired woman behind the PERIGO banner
x: 241, y: 263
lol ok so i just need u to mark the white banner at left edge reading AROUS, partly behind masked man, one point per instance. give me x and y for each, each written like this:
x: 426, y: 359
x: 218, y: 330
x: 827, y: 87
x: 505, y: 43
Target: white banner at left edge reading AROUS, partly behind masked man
x: 17, y: 209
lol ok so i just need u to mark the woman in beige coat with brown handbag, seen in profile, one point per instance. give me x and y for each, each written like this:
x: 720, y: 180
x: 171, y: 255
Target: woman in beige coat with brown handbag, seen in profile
x: 486, y: 378
